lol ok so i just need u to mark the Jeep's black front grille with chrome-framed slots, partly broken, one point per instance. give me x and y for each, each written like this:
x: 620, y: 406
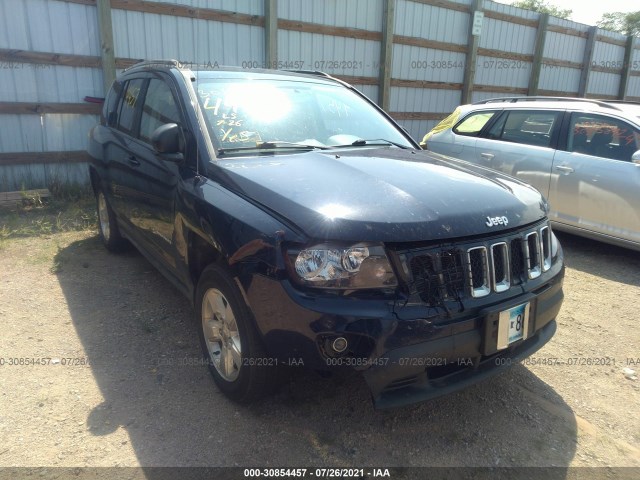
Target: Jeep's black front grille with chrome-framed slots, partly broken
x: 478, y: 269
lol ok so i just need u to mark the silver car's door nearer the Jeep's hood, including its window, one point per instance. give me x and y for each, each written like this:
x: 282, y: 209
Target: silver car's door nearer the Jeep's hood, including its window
x: 521, y: 143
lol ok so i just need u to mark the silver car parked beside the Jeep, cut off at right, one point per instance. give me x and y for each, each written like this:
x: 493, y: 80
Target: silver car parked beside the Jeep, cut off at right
x: 582, y: 155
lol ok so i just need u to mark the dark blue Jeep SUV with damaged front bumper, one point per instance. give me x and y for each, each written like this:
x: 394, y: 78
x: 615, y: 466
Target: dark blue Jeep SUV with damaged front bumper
x: 308, y: 228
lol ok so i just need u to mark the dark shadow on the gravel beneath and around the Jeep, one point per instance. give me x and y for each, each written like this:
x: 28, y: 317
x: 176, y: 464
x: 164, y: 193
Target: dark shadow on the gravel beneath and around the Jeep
x: 138, y: 333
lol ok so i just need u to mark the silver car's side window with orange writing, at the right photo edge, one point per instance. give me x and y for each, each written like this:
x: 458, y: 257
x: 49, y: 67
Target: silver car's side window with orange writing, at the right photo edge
x: 602, y: 136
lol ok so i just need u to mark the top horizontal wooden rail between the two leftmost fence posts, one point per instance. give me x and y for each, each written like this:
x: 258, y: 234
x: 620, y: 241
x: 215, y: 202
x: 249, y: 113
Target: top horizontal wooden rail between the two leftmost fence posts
x: 175, y: 10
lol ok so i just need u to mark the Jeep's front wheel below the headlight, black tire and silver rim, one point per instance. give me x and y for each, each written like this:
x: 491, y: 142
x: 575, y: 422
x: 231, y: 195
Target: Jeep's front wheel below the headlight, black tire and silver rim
x: 230, y: 341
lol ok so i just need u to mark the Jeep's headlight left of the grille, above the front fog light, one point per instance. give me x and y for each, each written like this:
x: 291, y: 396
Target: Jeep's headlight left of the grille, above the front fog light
x: 355, y: 267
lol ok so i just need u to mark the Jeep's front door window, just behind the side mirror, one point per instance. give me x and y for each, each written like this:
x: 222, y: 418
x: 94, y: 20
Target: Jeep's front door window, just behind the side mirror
x: 159, y: 108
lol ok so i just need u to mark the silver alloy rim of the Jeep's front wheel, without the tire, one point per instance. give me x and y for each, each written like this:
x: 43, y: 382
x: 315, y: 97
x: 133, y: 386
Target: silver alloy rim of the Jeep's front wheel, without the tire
x: 221, y: 334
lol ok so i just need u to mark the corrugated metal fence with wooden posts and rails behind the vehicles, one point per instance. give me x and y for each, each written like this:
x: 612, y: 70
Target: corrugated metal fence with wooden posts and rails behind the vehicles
x: 417, y: 58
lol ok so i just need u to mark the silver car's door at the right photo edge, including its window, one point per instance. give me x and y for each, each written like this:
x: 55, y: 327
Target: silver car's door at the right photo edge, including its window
x: 594, y: 184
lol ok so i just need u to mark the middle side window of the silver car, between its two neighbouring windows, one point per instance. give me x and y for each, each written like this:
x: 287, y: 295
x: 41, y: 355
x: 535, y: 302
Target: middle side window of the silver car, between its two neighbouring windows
x: 526, y: 127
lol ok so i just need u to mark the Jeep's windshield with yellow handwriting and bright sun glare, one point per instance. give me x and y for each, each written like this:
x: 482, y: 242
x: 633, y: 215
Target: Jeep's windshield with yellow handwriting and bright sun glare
x: 248, y: 114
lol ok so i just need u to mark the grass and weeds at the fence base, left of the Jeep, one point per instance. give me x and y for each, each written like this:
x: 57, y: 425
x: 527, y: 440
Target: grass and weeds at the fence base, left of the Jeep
x: 48, y: 216
